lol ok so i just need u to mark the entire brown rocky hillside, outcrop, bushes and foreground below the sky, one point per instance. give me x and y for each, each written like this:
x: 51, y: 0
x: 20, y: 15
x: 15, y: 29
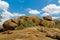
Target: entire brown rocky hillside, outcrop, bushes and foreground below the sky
x: 30, y: 28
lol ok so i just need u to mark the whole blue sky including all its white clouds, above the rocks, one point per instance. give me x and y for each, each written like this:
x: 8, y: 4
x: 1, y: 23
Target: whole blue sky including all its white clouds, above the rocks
x: 40, y: 8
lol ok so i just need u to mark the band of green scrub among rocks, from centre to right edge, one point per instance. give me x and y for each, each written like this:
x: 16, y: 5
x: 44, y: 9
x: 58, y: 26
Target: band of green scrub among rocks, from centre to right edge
x: 28, y: 23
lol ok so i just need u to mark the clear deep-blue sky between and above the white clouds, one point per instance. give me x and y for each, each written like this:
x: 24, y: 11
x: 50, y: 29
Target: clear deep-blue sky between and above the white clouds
x: 21, y: 6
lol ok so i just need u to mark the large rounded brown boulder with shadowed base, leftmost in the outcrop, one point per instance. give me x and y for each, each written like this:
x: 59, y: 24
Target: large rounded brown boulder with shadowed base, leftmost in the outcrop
x: 9, y: 25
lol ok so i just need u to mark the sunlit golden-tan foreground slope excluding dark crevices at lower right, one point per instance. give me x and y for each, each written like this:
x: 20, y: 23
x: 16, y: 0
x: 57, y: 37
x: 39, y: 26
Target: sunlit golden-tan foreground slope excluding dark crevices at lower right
x: 31, y: 33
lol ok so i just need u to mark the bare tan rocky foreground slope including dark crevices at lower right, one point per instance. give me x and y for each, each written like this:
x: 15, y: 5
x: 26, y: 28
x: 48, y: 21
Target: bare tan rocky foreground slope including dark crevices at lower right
x: 33, y: 33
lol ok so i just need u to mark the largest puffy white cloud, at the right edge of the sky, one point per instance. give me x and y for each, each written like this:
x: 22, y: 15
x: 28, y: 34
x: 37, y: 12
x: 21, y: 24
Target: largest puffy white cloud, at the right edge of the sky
x: 51, y: 9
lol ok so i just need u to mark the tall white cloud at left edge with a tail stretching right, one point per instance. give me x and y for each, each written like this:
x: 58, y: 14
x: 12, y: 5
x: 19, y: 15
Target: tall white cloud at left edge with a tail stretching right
x: 6, y: 15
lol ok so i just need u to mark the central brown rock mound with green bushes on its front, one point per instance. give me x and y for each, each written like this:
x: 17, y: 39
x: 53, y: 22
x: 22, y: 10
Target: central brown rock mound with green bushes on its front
x: 29, y: 21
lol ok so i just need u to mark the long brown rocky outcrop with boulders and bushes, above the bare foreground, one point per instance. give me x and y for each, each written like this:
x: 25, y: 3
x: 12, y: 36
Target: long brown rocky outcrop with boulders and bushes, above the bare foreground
x: 27, y: 21
